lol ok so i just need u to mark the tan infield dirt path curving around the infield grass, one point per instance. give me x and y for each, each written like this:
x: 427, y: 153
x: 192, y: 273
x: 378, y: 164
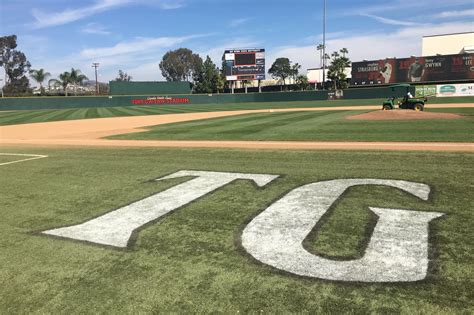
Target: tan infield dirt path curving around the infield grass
x: 89, y: 132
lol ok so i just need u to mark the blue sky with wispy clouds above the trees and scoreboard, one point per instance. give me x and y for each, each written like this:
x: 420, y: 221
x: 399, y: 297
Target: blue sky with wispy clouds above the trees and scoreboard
x: 133, y: 35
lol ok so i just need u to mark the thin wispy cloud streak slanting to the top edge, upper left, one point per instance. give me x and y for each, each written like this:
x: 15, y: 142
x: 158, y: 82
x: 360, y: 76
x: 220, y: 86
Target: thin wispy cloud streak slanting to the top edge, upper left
x: 46, y: 19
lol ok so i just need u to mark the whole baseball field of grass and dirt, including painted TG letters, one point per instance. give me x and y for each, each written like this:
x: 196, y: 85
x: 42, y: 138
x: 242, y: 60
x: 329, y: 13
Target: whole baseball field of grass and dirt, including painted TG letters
x: 255, y: 208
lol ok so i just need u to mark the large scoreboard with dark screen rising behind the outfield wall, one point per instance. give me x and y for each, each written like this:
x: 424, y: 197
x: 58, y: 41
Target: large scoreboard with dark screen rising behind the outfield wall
x: 244, y: 64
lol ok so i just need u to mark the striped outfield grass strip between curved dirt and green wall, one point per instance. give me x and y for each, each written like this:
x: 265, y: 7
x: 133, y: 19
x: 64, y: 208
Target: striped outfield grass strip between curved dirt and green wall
x: 33, y: 116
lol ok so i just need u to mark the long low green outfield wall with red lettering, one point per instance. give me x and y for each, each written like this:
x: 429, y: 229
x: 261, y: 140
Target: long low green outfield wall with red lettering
x: 28, y: 103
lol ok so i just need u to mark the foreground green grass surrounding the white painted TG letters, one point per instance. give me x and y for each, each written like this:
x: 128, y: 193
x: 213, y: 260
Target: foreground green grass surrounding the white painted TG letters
x: 191, y: 260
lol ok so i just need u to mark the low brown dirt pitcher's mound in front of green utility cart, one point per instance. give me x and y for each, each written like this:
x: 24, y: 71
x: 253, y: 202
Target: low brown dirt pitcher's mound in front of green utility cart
x: 402, y: 114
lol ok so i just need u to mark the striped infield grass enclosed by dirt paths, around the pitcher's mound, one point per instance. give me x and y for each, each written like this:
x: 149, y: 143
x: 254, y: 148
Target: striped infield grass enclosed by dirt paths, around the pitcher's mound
x: 315, y: 126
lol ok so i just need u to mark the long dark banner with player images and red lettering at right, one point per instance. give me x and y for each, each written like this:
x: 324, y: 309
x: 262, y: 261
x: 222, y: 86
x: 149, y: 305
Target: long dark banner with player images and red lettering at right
x: 413, y: 70
